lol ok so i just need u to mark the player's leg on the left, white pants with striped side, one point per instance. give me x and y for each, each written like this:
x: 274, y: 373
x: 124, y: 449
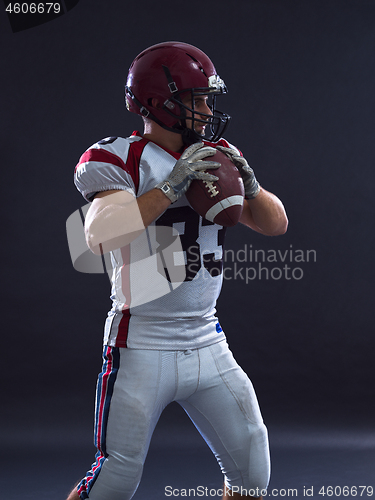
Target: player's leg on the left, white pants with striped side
x: 130, y: 399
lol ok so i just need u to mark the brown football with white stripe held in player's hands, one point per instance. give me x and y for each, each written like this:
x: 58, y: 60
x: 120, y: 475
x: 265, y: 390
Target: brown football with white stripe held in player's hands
x: 219, y: 201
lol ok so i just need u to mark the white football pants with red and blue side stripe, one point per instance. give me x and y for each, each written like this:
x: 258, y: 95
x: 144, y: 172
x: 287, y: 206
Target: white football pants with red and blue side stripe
x: 134, y: 388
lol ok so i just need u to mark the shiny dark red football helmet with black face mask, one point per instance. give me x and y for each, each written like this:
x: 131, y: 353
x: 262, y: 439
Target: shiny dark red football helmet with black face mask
x: 168, y: 72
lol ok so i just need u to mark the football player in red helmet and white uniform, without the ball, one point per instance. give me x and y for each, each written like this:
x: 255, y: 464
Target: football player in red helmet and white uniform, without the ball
x: 162, y: 339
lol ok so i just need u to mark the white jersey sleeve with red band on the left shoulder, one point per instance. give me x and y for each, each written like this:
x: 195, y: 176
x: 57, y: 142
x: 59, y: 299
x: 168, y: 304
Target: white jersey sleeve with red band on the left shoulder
x: 104, y: 167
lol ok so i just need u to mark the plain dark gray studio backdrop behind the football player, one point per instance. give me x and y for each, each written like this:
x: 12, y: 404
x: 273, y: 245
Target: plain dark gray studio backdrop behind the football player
x: 301, y: 81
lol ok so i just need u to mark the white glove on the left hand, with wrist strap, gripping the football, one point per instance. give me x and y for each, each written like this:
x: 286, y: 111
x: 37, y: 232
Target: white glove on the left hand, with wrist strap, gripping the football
x: 188, y: 168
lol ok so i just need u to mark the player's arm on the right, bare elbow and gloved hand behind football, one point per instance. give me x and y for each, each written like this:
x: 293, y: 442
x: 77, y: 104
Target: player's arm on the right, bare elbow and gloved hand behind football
x: 262, y: 210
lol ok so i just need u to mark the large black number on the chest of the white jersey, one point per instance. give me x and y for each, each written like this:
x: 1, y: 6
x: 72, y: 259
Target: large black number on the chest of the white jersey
x: 189, y: 243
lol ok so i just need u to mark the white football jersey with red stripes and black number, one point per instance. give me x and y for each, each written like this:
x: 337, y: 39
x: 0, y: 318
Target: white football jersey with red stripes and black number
x: 155, y: 306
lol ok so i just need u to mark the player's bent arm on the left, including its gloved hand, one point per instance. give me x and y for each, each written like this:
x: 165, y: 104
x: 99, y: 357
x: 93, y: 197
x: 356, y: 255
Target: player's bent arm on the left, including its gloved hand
x: 115, y: 218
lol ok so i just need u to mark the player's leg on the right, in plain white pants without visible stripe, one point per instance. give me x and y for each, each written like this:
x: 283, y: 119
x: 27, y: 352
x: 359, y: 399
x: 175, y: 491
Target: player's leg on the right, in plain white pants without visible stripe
x: 226, y: 412
